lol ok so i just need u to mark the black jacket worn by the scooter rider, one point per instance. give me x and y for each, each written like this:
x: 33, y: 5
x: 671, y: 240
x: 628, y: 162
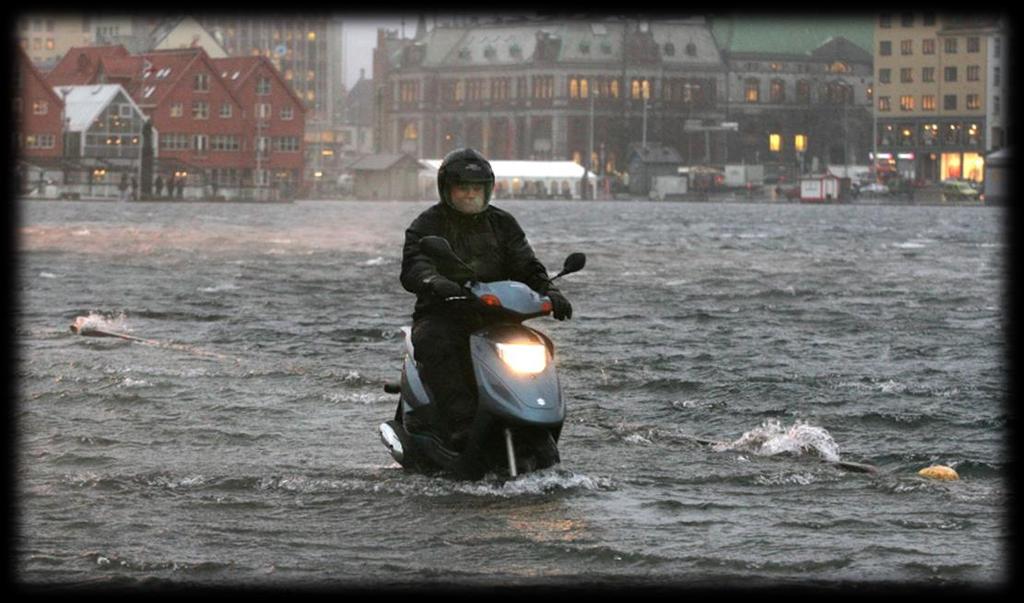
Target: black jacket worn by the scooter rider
x: 491, y: 242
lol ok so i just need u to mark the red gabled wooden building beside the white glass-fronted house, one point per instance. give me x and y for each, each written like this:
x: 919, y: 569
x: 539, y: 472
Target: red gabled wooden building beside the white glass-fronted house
x: 232, y: 130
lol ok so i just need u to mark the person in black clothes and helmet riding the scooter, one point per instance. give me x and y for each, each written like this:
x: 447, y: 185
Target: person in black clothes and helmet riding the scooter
x: 494, y: 246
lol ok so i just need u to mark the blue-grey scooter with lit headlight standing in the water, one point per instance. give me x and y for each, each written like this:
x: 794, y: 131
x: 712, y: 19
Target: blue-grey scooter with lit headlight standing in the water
x: 521, y: 410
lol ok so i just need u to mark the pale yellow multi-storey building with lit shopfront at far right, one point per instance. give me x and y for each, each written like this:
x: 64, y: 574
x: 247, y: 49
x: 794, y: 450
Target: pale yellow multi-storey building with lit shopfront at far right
x: 941, y: 95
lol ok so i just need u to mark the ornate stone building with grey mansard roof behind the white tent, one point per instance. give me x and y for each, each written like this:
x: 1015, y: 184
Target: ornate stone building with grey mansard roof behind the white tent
x: 546, y: 90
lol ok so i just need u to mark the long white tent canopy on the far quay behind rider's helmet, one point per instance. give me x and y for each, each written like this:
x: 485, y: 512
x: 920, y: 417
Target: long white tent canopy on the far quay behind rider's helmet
x: 529, y: 180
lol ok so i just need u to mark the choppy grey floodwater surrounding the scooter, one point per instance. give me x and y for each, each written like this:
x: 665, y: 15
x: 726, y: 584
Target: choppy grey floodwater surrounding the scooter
x: 238, y: 445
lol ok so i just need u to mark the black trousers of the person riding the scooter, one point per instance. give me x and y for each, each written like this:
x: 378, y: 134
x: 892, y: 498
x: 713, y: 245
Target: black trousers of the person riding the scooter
x: 442, y: 349
